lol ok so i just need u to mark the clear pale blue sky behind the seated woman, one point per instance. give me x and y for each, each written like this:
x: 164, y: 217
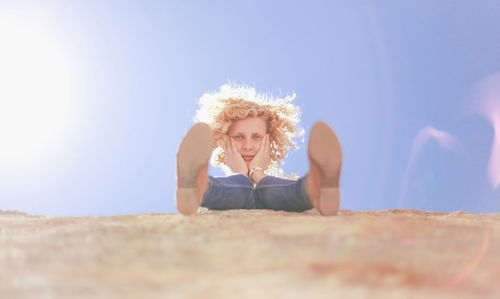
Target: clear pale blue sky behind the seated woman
x: 377, y: 71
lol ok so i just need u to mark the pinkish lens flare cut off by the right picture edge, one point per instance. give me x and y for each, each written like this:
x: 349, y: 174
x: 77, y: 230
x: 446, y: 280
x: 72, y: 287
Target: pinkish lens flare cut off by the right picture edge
x: 488, y: 104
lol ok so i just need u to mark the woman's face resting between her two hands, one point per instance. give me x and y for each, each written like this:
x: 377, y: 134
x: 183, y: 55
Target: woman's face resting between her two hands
x: 247, y: 135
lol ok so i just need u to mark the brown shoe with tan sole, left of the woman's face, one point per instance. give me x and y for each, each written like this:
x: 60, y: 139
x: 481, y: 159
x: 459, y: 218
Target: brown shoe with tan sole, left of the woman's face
x: 192, y: 167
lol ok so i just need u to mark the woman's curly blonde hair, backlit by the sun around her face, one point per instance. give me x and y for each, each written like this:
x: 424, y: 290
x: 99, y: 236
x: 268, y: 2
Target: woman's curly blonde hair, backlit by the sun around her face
x: 231, y: 103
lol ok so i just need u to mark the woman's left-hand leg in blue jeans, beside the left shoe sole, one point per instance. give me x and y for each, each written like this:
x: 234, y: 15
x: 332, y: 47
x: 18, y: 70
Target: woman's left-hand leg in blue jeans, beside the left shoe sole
x: 232, y: 192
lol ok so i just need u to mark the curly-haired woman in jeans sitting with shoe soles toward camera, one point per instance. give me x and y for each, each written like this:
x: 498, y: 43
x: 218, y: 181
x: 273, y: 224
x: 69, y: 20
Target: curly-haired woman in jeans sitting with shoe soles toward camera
x: 249, y: 134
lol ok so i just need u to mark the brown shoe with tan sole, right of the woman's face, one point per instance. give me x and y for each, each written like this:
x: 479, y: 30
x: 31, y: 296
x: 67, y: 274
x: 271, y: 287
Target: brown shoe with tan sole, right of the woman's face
x: 325, y: 163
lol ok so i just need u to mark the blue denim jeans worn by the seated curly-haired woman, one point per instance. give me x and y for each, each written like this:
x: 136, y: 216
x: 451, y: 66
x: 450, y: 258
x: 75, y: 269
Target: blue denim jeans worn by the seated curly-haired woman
x: 238, y: 192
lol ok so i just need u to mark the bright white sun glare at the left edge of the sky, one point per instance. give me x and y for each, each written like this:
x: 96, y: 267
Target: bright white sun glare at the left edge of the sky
x: 34, y: 92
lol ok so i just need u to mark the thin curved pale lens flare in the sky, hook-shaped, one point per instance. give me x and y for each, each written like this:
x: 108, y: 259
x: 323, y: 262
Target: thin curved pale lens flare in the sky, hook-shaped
x: 444, y: 139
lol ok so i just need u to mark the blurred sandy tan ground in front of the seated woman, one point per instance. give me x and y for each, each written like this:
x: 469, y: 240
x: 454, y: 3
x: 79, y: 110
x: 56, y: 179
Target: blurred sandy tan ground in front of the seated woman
x: 251, y: 254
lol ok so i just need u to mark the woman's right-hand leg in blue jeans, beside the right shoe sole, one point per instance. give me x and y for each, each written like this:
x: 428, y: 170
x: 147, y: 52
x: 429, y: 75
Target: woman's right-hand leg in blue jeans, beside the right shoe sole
x: 281, y: 194
